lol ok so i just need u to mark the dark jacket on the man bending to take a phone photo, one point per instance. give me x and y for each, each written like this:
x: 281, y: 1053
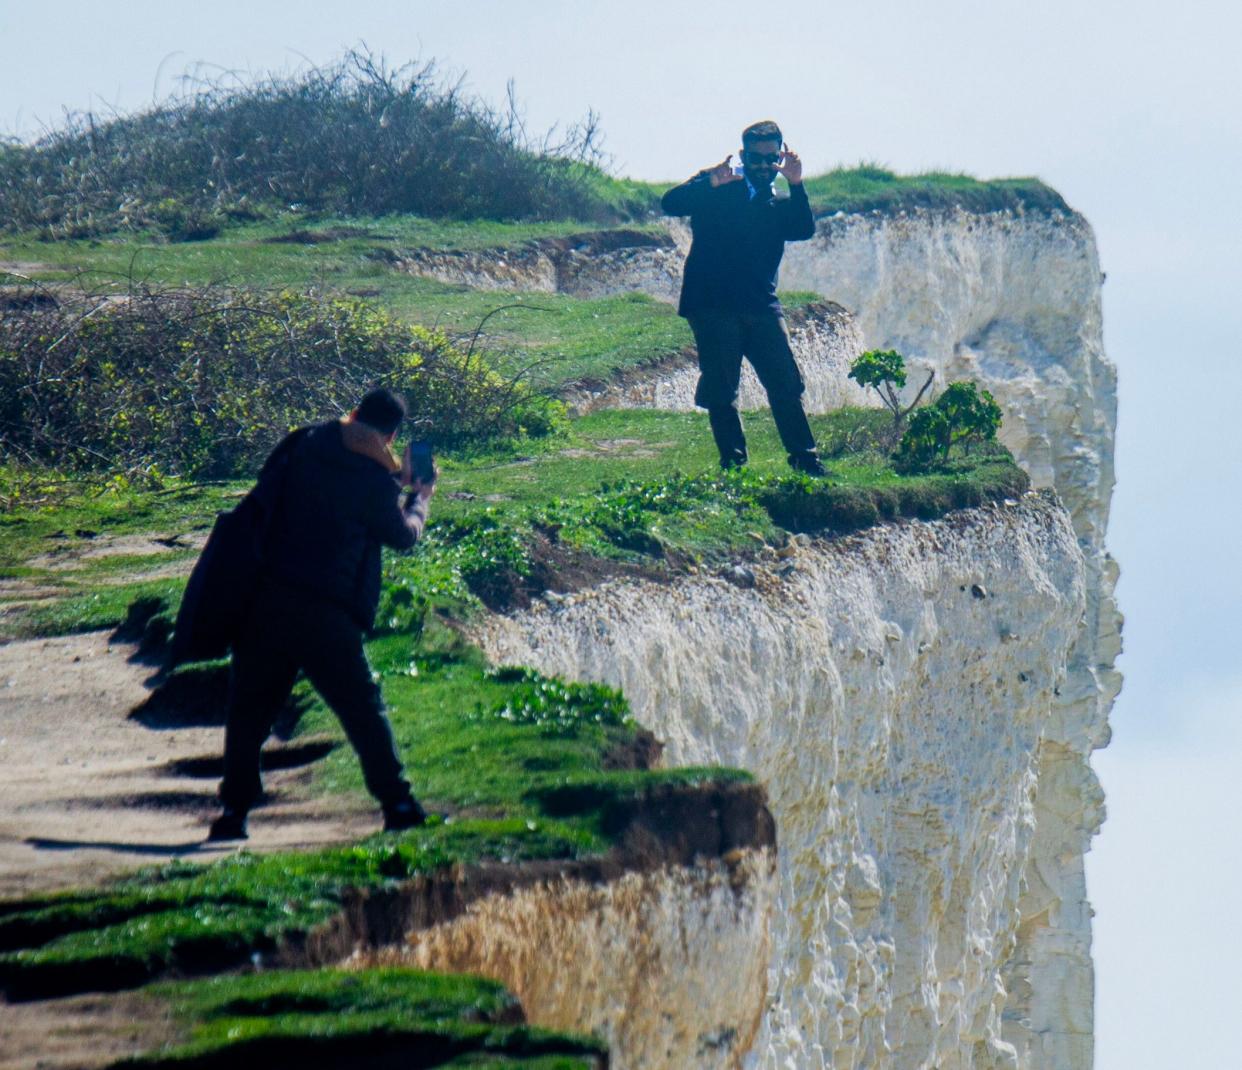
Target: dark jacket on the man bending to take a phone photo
x: 337, y: 508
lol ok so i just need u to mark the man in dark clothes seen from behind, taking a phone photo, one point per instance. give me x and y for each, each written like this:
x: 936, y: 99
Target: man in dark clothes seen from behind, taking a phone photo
x: 338, y: 501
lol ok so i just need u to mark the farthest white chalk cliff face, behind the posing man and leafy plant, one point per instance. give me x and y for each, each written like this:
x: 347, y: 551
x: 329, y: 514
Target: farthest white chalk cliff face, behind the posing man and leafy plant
x: 1013, y: 303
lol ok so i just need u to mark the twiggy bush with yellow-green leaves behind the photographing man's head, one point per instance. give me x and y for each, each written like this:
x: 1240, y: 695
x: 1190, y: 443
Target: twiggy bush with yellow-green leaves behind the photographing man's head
x: 204, y: 383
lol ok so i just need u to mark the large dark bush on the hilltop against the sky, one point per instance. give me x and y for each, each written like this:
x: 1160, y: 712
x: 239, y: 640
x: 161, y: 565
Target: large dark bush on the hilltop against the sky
x: 357, y: 137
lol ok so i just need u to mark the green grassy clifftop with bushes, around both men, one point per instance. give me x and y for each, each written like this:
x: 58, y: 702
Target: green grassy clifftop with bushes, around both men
x: 209, y: 204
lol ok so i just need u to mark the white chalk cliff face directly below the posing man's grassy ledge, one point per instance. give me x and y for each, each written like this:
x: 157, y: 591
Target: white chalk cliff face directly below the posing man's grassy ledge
x: 892, y: 691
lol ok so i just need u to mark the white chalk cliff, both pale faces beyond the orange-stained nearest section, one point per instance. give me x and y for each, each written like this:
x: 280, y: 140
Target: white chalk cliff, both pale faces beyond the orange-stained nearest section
x: 921, y: 699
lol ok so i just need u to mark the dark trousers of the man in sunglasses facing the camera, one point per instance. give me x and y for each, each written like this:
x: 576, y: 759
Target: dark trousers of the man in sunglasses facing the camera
x: 723, y: 339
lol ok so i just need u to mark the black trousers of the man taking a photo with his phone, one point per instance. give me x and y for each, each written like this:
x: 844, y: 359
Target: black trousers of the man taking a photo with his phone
x: 288, y: 632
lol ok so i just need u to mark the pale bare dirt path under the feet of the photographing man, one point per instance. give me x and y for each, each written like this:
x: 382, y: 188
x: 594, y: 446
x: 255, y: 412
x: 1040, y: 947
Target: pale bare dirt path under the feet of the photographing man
x: 89, y: 793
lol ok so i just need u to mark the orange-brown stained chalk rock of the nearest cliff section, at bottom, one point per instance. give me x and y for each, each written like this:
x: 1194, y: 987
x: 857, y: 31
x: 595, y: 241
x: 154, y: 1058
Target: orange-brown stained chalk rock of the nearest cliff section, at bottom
x: 670, y: 968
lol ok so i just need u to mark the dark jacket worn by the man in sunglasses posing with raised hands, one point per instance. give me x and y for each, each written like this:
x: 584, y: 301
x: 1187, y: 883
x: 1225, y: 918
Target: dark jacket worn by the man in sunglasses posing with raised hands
x: 738, y: 243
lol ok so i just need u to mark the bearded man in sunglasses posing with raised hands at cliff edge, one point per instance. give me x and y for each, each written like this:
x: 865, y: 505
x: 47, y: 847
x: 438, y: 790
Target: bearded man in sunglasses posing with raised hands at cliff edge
x: 730, y: 290
